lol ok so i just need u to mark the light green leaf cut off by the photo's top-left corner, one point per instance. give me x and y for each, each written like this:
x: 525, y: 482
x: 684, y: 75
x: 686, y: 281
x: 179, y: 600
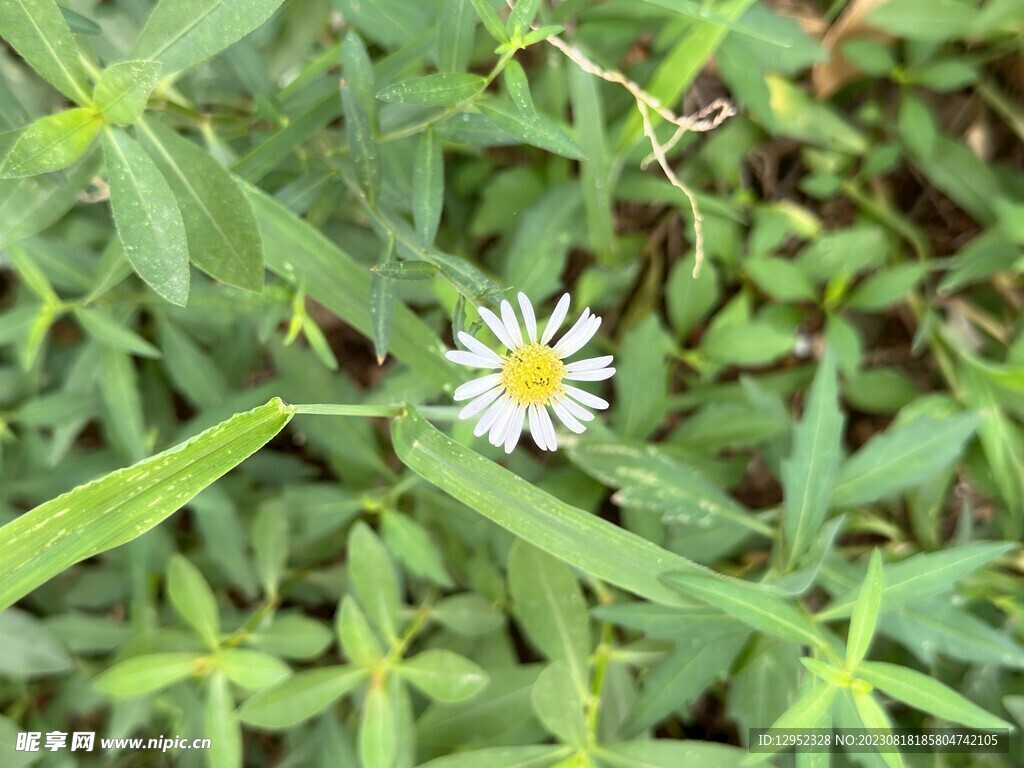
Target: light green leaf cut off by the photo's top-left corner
x: 39, y: 33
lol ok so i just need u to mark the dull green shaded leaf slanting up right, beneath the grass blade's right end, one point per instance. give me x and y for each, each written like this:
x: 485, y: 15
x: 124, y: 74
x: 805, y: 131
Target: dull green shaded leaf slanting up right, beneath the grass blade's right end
x: 678, y: 679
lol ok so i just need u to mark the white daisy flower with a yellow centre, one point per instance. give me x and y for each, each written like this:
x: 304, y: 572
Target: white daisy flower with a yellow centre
x: 531, y: 376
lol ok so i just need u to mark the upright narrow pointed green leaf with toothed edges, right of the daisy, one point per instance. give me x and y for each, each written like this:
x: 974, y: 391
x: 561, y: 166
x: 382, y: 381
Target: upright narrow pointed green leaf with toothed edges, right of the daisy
x: 809, y: 474
